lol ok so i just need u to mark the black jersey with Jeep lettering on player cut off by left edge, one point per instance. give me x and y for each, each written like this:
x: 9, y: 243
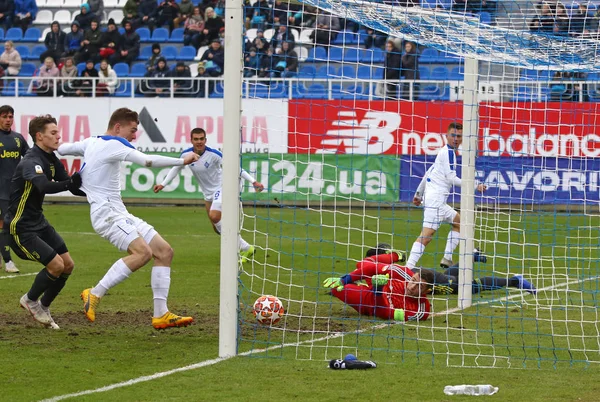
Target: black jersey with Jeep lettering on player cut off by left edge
x: 12, y: 148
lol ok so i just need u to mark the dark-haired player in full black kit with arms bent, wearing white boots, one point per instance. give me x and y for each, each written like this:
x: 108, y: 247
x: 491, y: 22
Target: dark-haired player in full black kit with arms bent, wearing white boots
x: 31, y: 236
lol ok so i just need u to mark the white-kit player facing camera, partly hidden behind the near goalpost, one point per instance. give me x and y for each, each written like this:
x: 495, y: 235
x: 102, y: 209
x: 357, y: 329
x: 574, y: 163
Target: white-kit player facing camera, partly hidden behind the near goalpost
x: 209, y: 174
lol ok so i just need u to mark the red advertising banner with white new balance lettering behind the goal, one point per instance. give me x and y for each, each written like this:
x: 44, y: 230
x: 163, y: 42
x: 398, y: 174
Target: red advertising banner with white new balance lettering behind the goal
x: 415, y: 128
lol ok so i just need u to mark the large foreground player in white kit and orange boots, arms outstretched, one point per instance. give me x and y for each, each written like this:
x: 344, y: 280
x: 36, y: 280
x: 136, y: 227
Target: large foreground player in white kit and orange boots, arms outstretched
x: 100, y: 173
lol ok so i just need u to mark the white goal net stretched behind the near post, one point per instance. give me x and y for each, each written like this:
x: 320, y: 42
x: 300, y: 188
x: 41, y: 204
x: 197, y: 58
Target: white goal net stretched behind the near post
x: 352, y: 125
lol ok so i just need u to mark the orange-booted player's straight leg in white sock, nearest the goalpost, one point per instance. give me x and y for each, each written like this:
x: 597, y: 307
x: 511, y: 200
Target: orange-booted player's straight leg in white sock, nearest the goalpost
x: 161, y: 283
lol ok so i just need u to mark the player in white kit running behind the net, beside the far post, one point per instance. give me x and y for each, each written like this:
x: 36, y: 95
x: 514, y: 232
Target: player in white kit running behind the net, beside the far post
x: 433, y: 193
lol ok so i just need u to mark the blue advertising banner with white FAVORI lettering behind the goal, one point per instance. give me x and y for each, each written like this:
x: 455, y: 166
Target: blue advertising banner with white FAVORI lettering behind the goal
x: 533, y: 180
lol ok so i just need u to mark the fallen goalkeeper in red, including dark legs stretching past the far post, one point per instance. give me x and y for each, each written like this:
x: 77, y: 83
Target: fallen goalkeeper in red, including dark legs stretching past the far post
x: 395, y: 292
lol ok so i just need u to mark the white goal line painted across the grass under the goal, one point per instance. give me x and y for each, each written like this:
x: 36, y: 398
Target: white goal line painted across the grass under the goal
x: 211, y: 362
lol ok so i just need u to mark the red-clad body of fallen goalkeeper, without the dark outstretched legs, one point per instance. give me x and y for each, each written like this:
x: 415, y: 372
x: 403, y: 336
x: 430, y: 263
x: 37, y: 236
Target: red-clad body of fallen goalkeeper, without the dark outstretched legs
x: 393, y: 292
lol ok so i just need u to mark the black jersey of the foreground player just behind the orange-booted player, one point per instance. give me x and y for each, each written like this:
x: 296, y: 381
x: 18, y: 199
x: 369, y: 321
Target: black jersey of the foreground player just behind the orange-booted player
x: 25, y: 212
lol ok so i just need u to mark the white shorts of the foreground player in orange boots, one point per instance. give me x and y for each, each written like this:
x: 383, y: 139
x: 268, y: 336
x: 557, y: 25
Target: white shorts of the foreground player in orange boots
x: 120, y: 227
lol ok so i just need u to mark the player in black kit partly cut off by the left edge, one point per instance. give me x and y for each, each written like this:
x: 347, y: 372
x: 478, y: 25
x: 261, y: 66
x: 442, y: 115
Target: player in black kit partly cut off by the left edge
x: 12, y: 148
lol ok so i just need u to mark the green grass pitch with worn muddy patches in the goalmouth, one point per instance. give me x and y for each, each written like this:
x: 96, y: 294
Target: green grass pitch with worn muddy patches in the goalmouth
x: 546, y: 342
